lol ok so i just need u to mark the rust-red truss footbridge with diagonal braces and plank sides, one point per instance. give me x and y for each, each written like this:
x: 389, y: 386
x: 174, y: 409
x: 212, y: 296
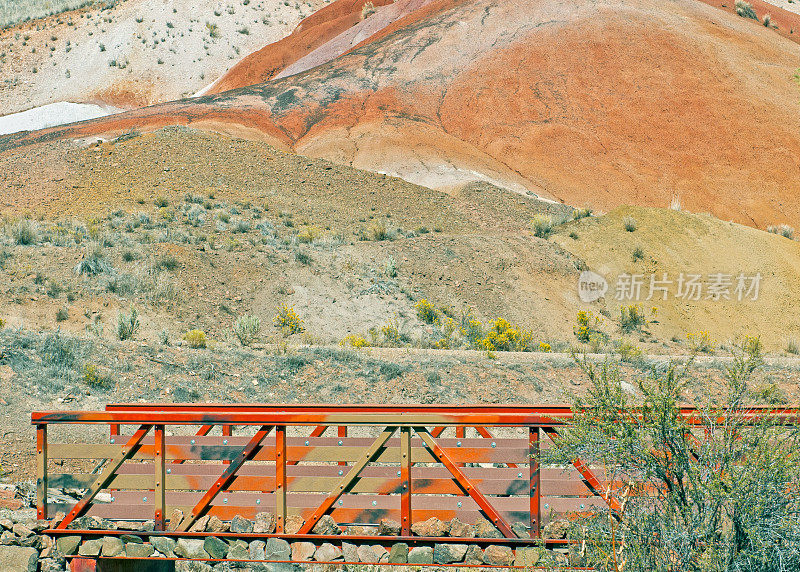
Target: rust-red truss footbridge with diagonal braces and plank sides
x: 358, y: 464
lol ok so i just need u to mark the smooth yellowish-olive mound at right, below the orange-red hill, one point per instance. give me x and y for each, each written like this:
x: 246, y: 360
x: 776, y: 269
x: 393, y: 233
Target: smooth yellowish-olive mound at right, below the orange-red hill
x: 678, y: 243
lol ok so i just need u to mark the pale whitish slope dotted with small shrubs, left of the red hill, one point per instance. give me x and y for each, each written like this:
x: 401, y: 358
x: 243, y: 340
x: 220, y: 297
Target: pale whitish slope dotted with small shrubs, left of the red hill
x: 136, y: 52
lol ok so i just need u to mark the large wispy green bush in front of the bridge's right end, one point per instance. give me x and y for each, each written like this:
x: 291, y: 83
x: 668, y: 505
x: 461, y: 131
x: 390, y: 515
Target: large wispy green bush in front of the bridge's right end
x: 718, y: 495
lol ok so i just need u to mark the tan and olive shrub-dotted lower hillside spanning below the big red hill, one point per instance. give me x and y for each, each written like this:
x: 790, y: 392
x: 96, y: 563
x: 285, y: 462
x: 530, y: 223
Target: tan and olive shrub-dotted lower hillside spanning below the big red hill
x: 254, y: 227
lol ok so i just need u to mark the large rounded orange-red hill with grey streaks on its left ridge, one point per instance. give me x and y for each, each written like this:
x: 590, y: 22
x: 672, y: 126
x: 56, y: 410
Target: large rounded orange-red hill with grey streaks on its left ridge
x: 603, y: 104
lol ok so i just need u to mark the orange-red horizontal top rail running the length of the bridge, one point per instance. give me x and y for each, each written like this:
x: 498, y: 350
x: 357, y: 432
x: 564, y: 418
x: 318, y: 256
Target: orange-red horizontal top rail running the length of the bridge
x: 326, y: 415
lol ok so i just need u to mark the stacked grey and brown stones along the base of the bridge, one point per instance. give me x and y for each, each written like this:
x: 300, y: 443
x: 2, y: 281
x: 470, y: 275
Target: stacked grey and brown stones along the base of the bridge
x: 24, y: 549
